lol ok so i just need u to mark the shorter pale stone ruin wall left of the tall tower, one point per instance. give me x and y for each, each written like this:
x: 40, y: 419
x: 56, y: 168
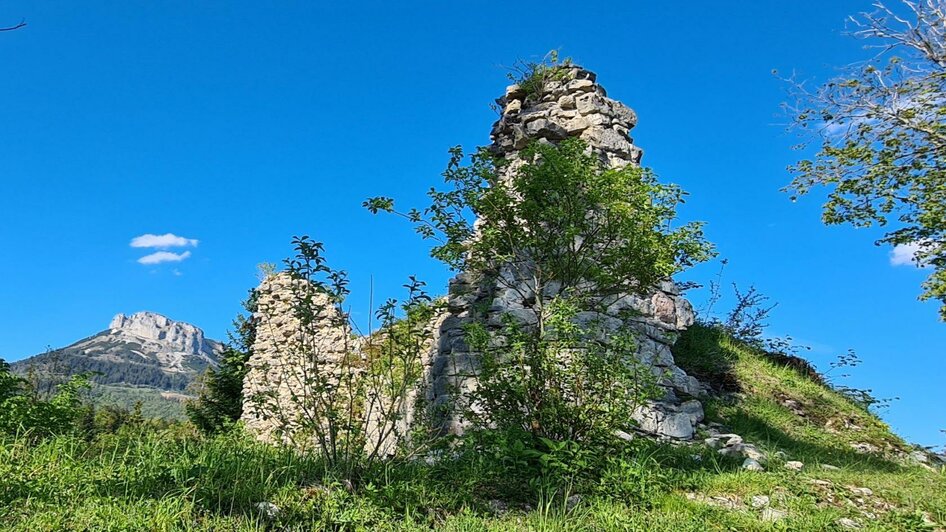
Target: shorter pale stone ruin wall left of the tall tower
x: 299, y: 367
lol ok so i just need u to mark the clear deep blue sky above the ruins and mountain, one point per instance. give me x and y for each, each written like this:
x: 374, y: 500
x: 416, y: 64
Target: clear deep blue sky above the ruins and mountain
x: 241, y: 124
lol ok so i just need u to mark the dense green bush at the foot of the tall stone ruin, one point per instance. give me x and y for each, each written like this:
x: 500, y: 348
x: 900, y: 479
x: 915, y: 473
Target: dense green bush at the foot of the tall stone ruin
x: 575, y: 382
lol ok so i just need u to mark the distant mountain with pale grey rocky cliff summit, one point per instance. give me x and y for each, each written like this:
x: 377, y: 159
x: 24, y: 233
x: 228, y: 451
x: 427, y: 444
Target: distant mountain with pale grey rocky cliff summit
x: 145, y: 352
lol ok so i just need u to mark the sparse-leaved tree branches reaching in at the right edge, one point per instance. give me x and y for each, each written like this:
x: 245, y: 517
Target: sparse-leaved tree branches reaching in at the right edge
x: 882, y: 132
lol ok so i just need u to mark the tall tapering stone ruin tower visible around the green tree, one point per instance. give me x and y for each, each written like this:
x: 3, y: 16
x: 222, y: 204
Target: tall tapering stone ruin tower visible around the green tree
x: 569, y: 104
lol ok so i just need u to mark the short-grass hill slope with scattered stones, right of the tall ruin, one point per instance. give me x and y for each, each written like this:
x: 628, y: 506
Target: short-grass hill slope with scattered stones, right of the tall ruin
x: 854, y: 468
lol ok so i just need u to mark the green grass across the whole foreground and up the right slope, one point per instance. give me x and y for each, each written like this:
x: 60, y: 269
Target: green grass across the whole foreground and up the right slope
x: 175, y: 479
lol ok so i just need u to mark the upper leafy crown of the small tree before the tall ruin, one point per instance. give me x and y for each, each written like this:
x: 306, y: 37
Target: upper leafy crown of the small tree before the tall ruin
x: 562, y: 219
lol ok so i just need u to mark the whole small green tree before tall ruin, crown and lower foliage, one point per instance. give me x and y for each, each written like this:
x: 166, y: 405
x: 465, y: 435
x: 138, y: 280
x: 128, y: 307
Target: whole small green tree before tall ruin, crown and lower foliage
x: 562, y: 231
